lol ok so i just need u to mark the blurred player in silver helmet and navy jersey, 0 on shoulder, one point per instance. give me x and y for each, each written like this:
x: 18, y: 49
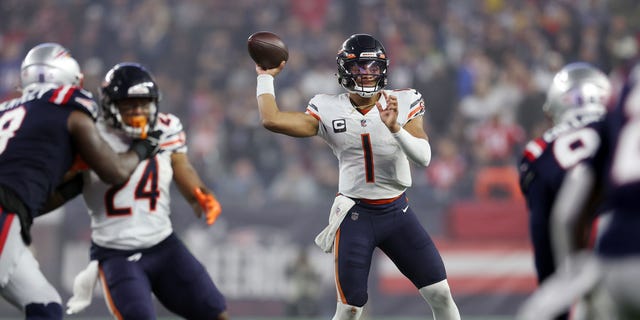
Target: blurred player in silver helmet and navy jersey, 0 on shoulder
x: 578, y: 96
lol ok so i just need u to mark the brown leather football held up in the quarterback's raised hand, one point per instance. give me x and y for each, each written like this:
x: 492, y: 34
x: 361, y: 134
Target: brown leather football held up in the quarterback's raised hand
x: 267, y: 49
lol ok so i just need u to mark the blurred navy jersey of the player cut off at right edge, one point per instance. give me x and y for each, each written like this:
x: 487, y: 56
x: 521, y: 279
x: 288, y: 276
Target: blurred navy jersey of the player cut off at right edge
x: 617, y: 166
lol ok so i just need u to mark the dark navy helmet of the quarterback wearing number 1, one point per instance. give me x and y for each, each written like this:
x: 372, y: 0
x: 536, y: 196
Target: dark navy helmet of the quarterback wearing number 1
x: 362, y: 65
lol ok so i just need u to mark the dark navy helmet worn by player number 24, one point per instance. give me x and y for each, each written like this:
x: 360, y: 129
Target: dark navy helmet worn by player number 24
x: 125, y: 81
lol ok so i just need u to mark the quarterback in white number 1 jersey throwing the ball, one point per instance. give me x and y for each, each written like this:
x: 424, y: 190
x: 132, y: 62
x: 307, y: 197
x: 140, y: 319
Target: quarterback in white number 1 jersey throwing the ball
x: 374, y: 133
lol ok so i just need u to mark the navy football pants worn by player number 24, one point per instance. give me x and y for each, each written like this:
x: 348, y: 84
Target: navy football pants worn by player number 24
x: 170, y: 271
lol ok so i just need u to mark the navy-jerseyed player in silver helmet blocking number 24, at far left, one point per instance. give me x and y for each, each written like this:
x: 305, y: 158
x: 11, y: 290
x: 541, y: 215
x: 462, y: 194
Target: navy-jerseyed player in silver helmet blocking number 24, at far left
x: 43, y: 131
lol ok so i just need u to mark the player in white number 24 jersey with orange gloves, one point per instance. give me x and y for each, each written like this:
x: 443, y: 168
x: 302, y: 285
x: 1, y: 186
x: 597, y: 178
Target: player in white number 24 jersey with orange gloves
x: 134, y: 249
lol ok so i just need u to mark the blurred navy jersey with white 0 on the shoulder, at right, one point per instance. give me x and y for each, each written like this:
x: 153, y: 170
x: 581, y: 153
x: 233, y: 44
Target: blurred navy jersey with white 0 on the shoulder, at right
x: 542, y: 170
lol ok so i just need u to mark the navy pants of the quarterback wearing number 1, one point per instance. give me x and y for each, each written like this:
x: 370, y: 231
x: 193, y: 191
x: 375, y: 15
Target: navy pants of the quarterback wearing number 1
x: 395, y: 229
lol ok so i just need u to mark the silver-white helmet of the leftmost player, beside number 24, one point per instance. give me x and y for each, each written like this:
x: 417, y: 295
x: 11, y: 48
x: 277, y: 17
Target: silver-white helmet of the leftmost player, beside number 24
x: 50, y: 63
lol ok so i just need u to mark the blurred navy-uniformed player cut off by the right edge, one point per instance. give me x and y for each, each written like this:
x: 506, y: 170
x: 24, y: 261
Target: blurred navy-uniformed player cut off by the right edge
x: 613, y: 175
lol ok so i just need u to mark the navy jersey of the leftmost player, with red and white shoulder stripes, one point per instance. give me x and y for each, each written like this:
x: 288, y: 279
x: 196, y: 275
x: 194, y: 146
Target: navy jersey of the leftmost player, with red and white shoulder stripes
x: 36, y: 148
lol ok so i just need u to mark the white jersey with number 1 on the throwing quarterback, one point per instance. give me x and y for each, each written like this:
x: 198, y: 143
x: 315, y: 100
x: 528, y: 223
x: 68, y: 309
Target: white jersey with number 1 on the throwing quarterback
x: 372, y: 165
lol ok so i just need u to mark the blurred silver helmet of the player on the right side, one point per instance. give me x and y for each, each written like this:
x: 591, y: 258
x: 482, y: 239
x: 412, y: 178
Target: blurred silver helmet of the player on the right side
x: 577, y: 90
